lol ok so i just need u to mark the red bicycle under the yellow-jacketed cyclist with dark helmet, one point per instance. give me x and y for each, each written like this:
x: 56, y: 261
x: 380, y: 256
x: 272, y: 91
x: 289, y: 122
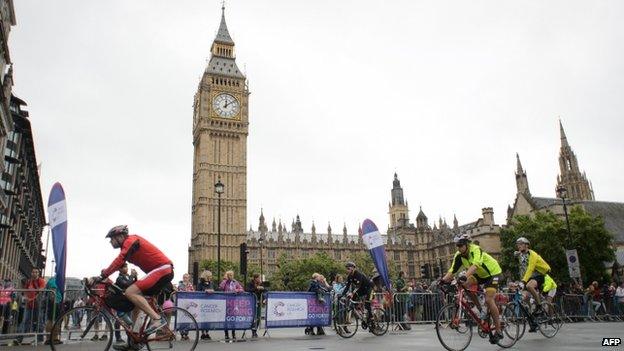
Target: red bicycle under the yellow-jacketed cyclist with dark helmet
x: 458, y: 319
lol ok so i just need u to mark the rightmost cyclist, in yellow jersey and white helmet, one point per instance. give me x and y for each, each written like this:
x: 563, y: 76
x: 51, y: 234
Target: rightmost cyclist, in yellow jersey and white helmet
x: 533, y: 269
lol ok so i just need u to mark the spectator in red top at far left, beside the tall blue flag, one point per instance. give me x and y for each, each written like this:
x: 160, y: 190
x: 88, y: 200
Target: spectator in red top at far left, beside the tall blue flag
x: 34, y: 285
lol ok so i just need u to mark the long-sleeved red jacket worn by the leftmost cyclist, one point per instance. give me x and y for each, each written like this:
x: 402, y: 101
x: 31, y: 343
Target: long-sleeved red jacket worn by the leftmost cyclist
x: 140, y: 252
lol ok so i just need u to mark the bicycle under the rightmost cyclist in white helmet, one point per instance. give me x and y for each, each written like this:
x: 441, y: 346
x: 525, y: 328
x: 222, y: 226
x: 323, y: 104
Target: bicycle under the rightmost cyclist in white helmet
x: 548, y: 320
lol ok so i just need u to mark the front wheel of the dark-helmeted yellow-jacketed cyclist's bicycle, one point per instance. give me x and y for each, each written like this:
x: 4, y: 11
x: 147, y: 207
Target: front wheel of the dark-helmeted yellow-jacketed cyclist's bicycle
x: 454, y: 328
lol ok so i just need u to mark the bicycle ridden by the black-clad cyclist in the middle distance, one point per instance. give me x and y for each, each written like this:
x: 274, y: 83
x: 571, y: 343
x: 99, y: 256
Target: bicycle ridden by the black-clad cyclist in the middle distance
x: 347, y: 316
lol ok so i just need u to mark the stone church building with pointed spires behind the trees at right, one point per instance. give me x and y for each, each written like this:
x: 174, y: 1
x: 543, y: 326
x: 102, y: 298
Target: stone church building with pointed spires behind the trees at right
x: 579, y: 193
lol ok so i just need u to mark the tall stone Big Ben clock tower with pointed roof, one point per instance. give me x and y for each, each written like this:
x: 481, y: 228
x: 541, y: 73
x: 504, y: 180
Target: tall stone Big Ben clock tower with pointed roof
x: 220, y: 129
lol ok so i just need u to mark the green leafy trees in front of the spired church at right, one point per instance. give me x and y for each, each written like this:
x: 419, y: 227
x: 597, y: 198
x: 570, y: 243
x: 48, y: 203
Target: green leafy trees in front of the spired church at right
x: 548, y: 236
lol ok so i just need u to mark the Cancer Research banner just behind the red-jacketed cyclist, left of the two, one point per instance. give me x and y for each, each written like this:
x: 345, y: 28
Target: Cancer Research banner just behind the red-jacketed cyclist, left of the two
x: 218, y: 311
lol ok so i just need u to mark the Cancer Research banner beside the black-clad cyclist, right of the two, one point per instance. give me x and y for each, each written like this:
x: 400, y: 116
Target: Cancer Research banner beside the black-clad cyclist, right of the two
x: 297, y: 309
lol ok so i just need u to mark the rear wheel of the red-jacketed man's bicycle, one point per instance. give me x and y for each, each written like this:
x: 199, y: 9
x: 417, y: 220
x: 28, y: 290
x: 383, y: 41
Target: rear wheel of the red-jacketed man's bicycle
x: 181, y: 333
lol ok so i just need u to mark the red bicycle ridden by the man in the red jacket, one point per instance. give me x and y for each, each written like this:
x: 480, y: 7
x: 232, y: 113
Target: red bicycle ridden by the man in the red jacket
x: 181, y: 333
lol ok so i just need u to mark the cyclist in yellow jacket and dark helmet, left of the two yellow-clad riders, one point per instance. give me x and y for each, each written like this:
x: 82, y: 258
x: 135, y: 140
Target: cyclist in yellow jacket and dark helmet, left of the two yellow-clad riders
x: 482, y: 269
